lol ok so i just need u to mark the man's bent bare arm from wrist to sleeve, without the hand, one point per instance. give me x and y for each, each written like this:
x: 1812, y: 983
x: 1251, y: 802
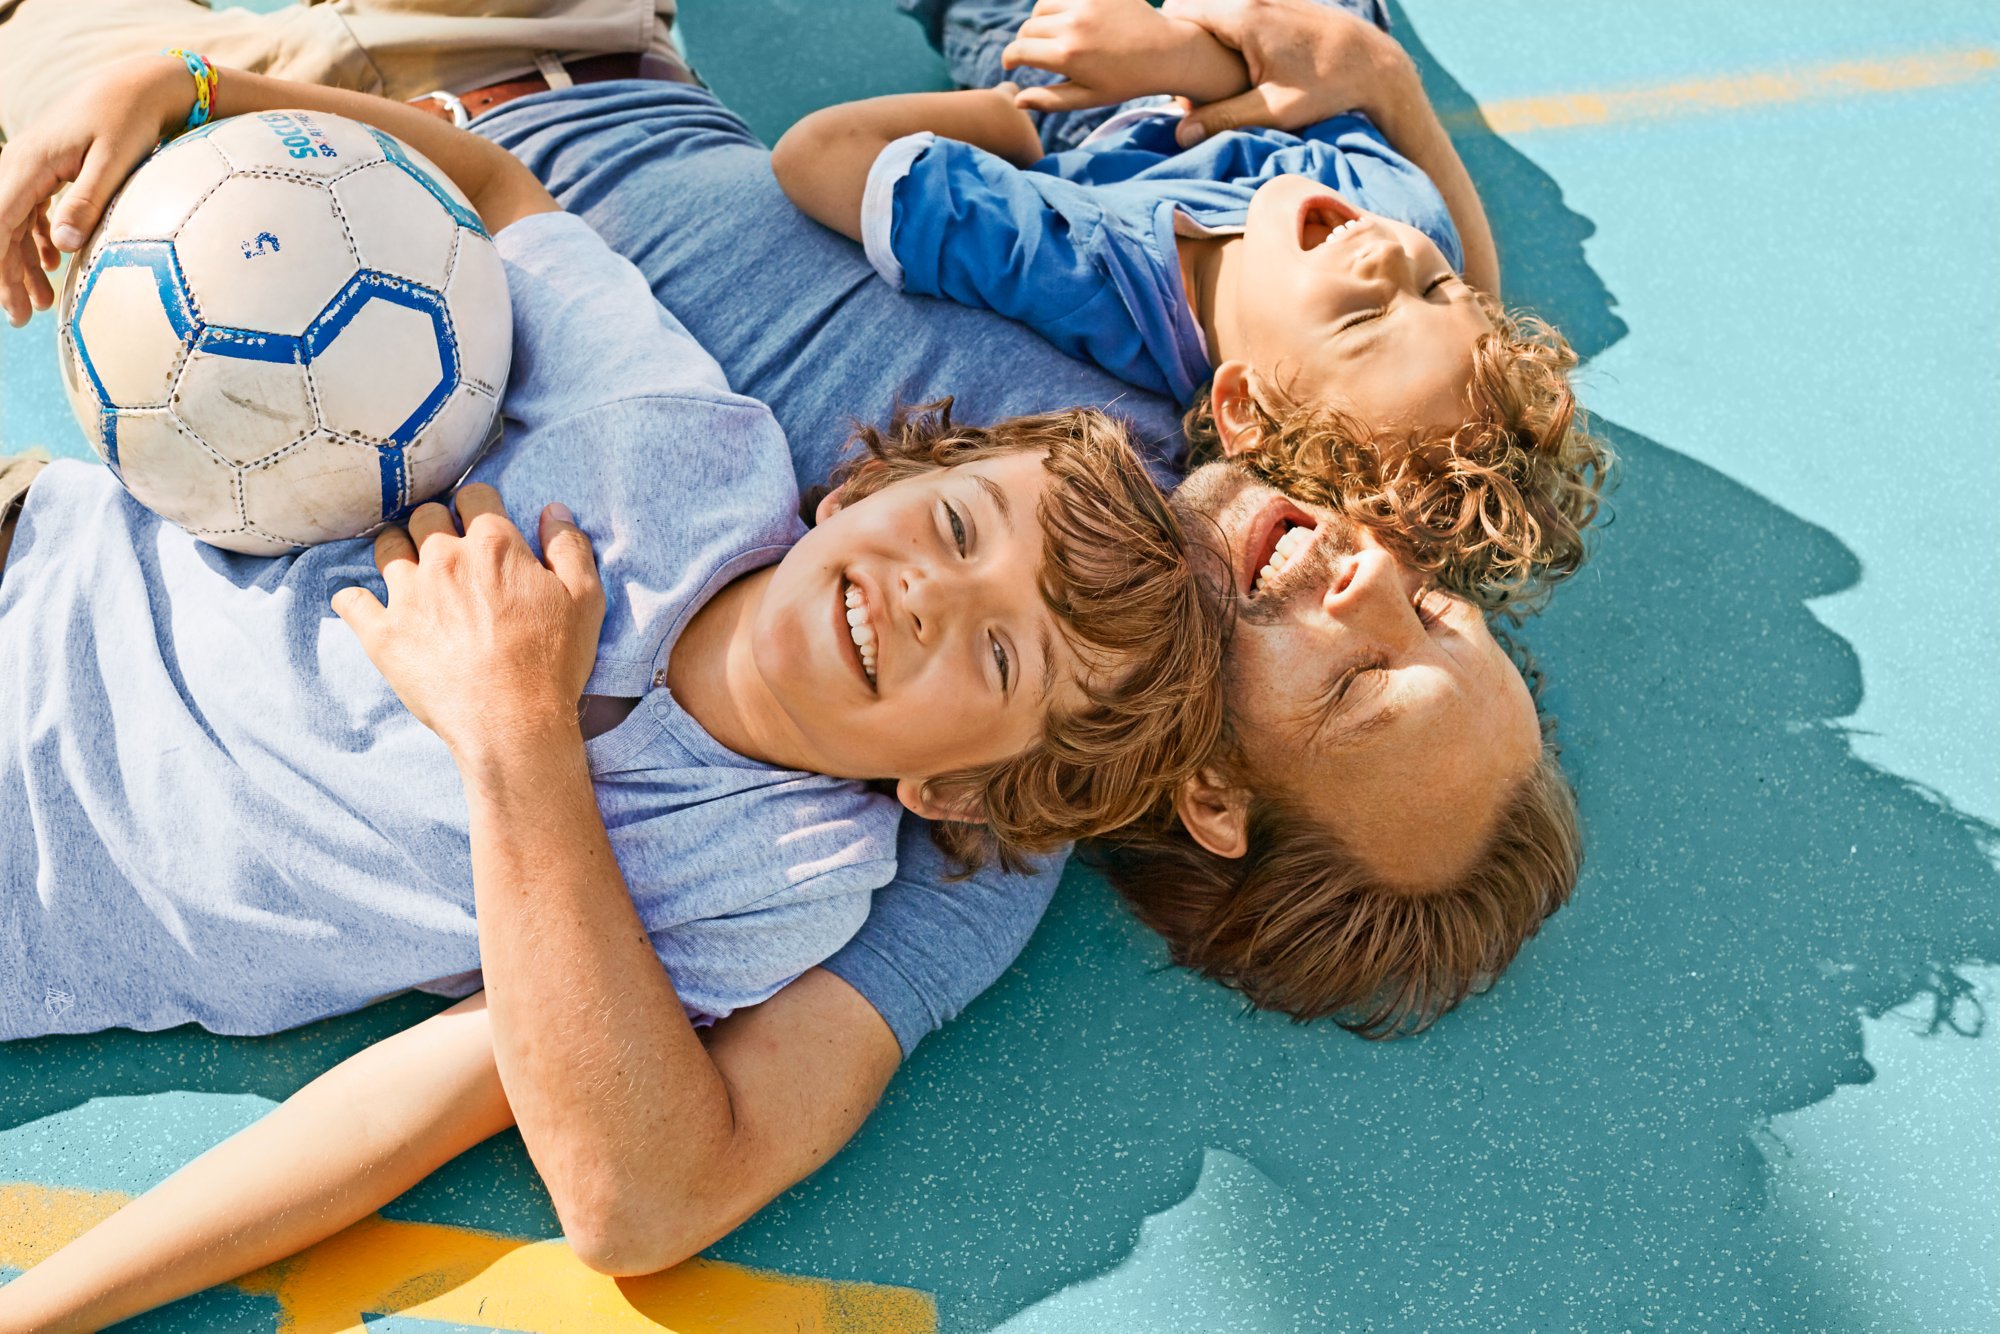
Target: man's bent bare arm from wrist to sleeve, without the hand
x: 651, y: 1143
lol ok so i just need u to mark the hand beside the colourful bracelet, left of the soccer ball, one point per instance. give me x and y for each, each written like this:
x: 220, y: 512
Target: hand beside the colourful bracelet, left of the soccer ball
x: 91, y: 141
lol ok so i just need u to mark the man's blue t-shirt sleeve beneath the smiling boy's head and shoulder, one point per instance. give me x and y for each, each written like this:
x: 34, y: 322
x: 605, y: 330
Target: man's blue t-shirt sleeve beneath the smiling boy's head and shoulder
x: 931, y: 945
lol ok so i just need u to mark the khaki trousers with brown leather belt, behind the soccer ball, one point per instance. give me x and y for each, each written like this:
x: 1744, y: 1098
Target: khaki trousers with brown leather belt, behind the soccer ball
x: 399, y: 49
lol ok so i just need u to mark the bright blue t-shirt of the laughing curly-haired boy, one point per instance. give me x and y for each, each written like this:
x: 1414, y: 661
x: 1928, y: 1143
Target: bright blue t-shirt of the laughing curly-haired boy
x: 1081, y: 245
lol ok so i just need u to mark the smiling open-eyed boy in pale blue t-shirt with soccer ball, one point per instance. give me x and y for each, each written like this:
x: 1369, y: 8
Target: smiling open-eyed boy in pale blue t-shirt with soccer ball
x: 197, y: 793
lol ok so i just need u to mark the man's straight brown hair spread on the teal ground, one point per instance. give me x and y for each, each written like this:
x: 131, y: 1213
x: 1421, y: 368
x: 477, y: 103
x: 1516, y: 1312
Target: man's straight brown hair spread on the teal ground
x: 1305, y: 927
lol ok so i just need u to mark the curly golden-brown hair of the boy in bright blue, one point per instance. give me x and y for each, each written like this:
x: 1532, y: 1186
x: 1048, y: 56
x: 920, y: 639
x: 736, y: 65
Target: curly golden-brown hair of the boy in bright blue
x: 1497, y: 509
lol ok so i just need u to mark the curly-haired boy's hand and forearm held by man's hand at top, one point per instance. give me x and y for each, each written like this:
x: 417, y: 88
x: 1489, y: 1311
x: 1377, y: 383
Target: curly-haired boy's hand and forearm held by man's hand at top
x: 1113, y: 51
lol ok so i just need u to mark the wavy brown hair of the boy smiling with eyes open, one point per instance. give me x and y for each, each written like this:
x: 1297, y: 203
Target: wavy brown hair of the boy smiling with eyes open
x: 1127, y: 593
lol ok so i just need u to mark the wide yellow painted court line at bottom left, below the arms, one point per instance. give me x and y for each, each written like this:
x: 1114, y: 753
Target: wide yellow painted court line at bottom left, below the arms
x: 501, y: 1283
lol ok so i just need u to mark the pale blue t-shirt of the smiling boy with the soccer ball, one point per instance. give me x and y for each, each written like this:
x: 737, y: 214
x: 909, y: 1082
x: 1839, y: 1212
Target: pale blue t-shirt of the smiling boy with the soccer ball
x: 215, y: 807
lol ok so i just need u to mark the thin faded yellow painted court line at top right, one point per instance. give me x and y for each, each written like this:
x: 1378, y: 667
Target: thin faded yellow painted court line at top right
x: 1707, y: 97
